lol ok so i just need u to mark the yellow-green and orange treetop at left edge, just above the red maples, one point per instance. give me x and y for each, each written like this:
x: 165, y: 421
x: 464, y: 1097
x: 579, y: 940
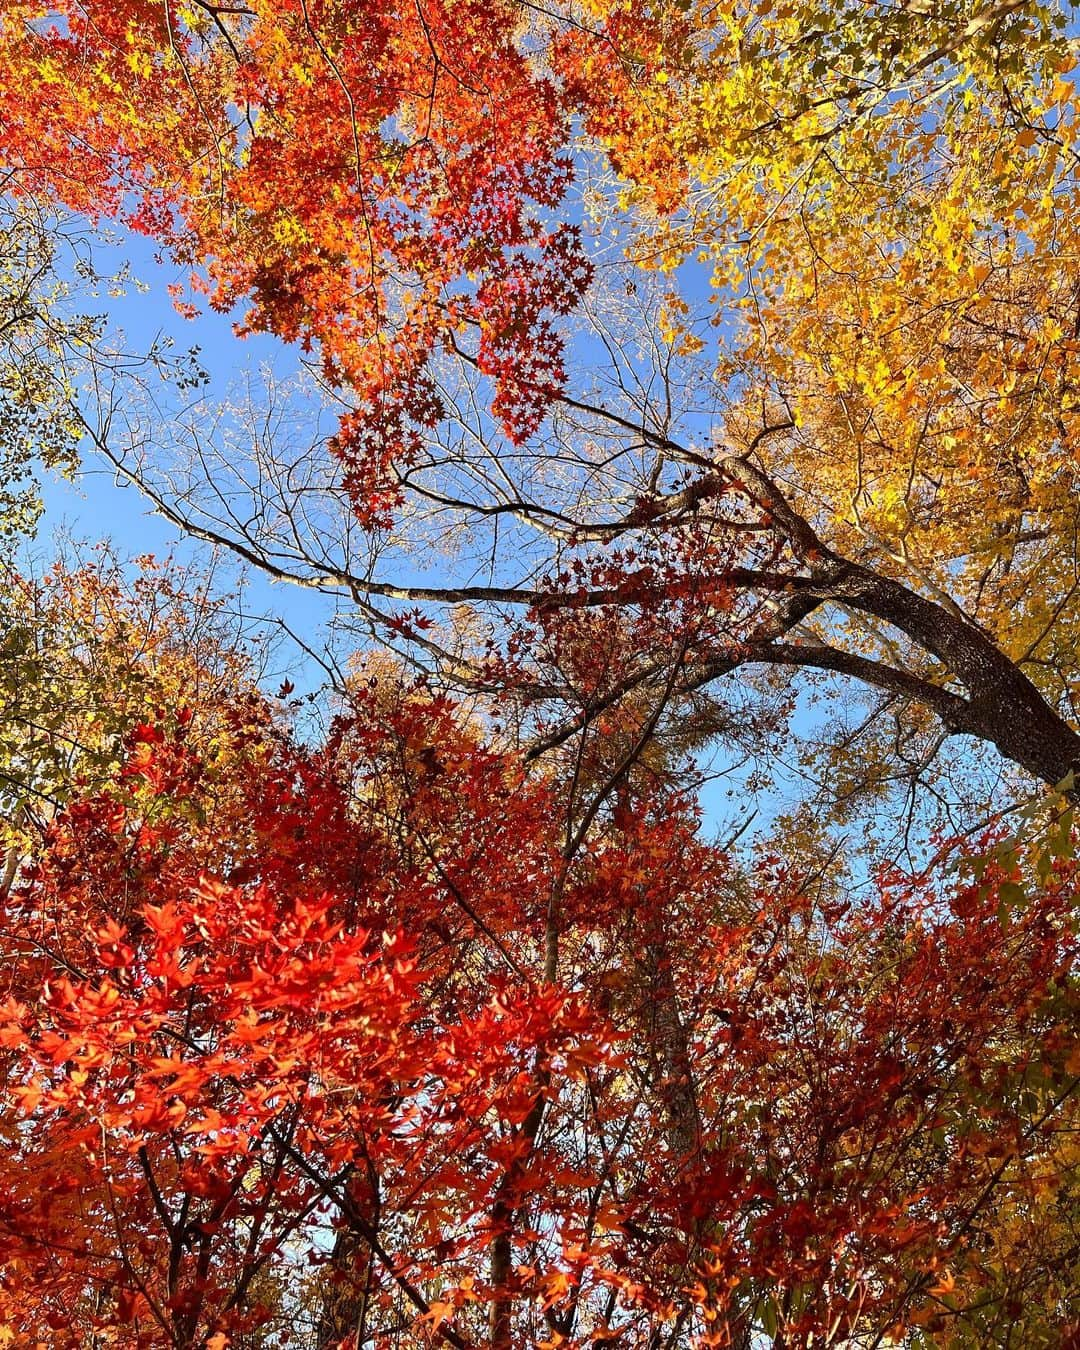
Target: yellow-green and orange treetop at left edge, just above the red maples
x: 90, y: 653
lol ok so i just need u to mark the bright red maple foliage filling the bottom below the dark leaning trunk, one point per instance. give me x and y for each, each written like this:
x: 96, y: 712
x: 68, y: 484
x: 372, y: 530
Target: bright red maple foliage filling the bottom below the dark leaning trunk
x: 745, y: 1108
